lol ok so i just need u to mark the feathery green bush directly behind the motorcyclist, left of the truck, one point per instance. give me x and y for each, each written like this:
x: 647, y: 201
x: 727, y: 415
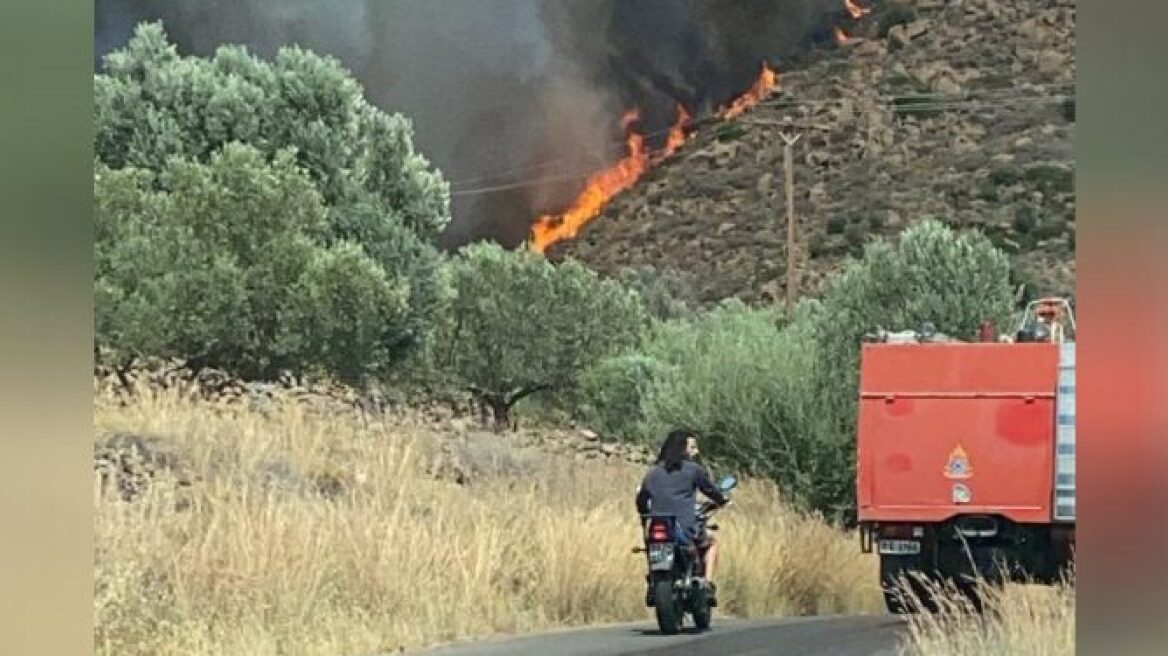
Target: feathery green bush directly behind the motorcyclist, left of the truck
x: 736, y: 375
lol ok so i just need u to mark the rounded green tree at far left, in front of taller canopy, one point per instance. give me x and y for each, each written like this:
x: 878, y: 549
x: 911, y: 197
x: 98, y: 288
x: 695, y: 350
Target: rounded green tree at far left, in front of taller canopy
x: 227, y: 264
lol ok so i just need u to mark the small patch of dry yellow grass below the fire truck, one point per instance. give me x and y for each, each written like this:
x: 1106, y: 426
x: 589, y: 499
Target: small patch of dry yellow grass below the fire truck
x: 1019, y: 620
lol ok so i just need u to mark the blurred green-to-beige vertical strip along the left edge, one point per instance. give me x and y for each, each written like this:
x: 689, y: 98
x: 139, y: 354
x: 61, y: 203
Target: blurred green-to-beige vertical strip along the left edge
x: 46, y: 327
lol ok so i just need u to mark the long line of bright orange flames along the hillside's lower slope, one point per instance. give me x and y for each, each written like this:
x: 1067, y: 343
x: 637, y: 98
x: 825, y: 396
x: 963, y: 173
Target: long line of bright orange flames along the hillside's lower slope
x: 607, y: 184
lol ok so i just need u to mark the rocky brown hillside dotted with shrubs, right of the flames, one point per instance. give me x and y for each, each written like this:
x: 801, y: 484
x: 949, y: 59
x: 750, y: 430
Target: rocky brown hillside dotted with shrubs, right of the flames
x: 962, y: 111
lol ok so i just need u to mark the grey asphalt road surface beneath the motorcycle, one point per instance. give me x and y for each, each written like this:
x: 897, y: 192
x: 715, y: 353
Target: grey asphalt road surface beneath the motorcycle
x: 868, y: 636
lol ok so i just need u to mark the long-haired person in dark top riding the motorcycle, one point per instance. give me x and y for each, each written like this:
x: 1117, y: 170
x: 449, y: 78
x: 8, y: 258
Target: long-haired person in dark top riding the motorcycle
x: 669, y: 491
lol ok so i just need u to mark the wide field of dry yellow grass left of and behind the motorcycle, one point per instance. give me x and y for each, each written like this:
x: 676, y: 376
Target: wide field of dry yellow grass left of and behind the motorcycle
x: 258, y: 563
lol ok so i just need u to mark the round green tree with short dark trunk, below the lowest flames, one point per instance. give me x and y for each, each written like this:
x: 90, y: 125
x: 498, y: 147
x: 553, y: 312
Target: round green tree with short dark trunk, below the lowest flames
x: 522, y: 325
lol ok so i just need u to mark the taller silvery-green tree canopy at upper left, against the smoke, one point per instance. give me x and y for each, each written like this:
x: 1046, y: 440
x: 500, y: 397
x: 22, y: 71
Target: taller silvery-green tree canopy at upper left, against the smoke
x: 152, y: 104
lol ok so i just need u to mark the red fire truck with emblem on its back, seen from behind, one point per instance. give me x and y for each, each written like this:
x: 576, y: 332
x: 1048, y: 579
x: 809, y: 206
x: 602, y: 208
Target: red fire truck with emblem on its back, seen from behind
x: 967, y: 455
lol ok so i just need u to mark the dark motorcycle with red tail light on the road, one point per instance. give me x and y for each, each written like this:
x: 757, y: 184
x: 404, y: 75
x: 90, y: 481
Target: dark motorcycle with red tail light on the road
x: 676, y: 564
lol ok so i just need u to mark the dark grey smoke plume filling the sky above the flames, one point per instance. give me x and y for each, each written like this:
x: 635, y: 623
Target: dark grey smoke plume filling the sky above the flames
x: 518, y: 94
